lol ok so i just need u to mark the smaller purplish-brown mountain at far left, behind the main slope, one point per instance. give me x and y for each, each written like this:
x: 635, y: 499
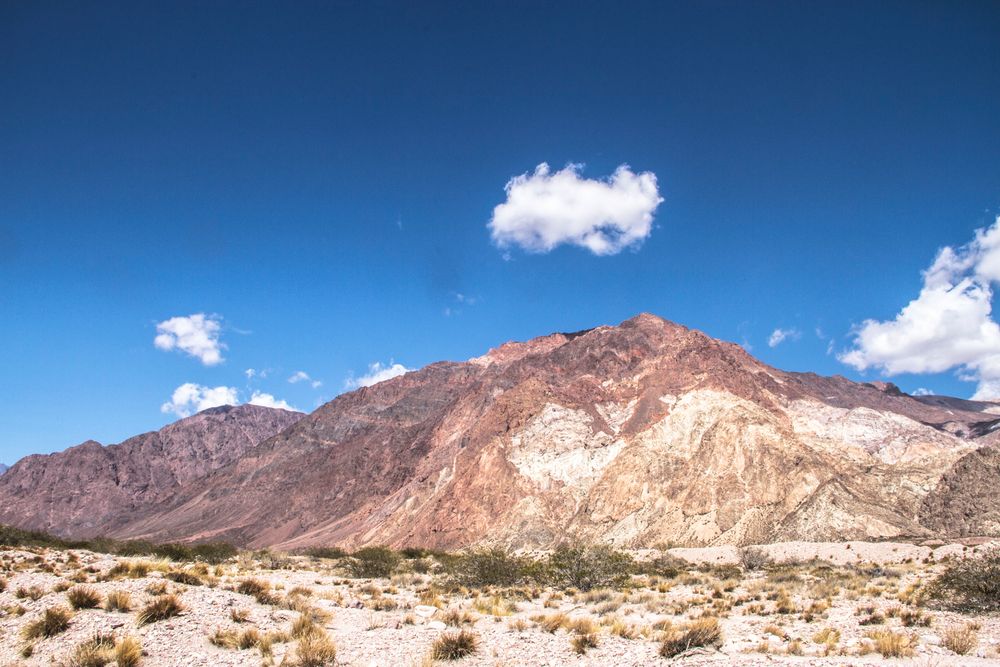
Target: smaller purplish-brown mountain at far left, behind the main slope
x: 93, y: 489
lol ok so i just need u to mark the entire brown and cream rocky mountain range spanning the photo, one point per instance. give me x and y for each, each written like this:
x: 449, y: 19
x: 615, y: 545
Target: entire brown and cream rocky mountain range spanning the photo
x: 638, y: 434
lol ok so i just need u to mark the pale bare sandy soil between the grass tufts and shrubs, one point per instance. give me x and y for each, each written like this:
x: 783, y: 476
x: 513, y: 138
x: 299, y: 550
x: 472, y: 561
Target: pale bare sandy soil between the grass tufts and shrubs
x: 387, y: 623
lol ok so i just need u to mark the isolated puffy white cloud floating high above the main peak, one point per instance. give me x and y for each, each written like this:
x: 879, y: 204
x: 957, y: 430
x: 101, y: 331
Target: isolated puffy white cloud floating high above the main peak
x: 545, y: 209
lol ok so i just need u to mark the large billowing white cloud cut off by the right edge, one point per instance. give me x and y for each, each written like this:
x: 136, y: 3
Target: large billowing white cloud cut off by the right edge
x: 948, y: 326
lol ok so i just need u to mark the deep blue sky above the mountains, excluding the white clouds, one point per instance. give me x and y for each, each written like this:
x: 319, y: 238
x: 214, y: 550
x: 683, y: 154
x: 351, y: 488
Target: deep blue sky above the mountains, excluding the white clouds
x: 317, y: 179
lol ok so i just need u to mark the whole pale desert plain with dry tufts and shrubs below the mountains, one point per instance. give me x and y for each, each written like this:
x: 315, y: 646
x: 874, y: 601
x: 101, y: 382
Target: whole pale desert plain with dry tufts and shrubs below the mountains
x: 853, y: 603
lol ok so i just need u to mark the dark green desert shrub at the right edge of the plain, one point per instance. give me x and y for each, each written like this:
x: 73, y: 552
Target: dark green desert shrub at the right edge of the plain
x: 970, y: 585
